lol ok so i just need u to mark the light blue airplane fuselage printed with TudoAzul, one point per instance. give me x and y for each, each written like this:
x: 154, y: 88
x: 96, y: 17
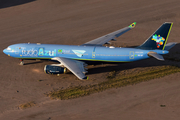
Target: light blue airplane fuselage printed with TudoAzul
x: 84, y: 53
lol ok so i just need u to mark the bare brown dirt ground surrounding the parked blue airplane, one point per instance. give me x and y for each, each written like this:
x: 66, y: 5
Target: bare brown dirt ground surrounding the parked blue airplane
x: 76, y: 22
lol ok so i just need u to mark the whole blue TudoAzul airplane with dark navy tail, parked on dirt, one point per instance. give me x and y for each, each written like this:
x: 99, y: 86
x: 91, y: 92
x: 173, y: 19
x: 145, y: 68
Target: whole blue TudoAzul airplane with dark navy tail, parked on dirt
x: 75, y: 58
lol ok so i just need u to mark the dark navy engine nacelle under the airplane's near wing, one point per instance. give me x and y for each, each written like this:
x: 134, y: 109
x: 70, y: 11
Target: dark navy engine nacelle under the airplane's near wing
x: 50, y: 69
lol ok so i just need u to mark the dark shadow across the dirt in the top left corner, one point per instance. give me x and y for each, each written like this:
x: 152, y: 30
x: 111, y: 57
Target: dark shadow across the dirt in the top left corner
x: 10, y: 3
